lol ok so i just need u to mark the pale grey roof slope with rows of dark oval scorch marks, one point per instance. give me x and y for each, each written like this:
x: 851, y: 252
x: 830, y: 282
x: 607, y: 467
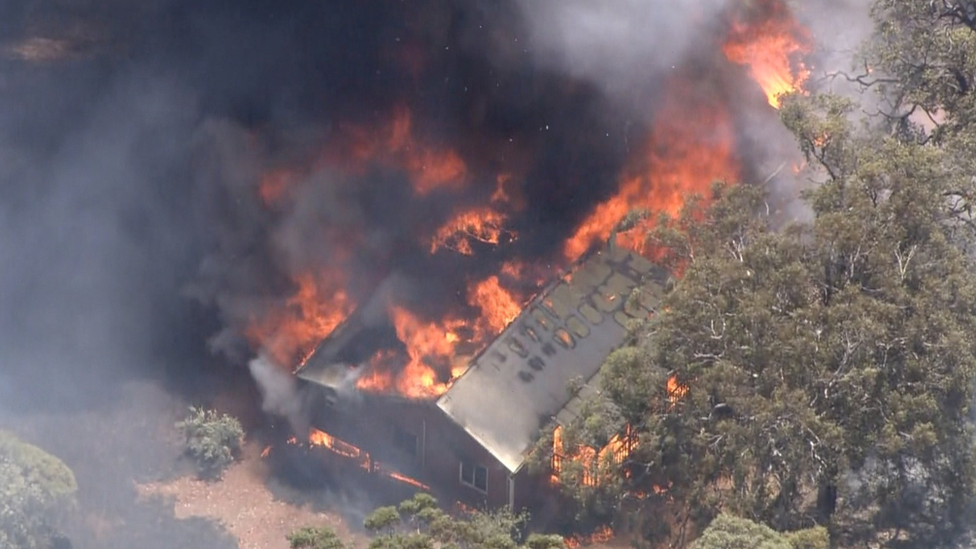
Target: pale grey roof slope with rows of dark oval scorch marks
x: 519, y: 383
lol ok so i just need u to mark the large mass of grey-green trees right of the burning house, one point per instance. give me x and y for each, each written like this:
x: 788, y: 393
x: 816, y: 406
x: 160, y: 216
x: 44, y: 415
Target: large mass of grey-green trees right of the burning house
x: 829, y: 364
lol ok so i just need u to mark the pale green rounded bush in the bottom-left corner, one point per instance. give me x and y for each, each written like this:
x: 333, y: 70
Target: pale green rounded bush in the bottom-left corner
x: 36, y: 488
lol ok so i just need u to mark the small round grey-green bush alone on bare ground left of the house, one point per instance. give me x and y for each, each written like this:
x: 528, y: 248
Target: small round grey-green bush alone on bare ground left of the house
x: 212, y: 440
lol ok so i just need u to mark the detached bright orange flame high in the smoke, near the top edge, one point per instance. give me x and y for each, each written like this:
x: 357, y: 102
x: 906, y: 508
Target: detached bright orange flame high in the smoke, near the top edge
x: 769, y: 43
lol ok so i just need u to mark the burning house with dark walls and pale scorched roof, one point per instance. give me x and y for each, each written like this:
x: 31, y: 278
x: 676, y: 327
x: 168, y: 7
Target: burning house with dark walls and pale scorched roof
x: 472, y: 442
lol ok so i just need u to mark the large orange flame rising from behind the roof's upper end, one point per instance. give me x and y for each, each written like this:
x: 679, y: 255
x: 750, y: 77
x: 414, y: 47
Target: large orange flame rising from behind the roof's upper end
x: 691, y: 147
